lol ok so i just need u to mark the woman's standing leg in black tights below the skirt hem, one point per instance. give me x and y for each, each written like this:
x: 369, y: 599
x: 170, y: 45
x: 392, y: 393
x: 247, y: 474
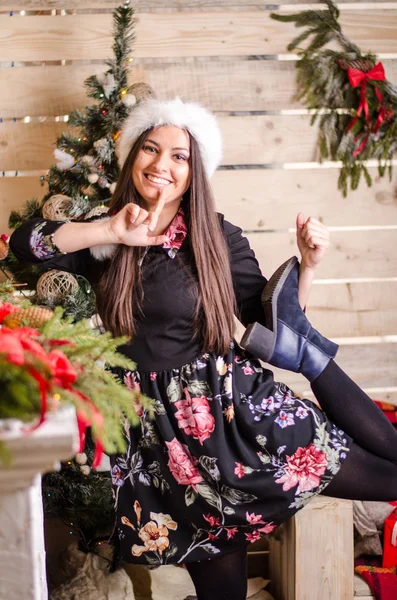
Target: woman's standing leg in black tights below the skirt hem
x: 223, y: 578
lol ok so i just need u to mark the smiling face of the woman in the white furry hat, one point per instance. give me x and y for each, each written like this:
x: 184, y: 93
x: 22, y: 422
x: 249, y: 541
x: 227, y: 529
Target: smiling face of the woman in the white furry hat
x: 163, y: 164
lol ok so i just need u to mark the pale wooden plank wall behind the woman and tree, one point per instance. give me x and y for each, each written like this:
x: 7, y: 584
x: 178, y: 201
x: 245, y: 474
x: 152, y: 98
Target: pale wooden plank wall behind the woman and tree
x: 229, y: 55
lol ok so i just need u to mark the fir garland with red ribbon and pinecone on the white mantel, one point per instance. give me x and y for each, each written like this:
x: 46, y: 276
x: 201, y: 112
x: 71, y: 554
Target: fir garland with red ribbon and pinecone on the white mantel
x: 46, y: 360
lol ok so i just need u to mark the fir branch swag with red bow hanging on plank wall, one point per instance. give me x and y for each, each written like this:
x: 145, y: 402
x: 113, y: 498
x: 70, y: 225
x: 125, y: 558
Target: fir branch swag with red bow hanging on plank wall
x: 354, y: 104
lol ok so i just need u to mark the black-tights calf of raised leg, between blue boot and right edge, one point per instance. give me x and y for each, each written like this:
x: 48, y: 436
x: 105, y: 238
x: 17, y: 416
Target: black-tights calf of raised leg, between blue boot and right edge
x: 353, y: 411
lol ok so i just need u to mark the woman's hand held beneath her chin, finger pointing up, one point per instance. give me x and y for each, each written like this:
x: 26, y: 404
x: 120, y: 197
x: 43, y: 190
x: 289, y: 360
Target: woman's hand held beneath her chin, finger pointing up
x: 133, y: 225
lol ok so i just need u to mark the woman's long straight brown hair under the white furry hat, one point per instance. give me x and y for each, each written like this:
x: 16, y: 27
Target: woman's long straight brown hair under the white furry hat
x: 120, y: 294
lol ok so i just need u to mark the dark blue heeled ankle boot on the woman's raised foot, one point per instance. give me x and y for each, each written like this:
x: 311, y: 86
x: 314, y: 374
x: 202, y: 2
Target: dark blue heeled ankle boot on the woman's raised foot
x: 288, y: 341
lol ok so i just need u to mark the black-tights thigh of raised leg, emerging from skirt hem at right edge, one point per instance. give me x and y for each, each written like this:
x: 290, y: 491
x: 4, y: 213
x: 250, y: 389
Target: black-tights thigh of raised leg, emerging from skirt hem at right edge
x: 364, y: 476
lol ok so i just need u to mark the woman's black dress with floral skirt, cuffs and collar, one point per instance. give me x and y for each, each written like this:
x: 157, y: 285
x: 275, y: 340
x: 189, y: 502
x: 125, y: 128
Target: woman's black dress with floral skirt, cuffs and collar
x: 231, y: 454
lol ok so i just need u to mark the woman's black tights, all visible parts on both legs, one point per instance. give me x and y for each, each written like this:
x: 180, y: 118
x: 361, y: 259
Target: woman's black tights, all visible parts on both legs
x: 368, y: 473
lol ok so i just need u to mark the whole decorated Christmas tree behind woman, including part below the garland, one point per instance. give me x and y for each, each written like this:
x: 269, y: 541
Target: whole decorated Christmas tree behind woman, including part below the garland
x: 79, y: 187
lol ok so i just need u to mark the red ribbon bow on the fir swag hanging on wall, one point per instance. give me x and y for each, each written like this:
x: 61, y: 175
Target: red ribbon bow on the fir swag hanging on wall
x: 356, y: 78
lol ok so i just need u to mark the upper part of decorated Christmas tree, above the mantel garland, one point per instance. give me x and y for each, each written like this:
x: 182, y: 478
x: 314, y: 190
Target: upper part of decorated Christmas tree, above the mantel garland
x: 81, y: 182
